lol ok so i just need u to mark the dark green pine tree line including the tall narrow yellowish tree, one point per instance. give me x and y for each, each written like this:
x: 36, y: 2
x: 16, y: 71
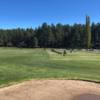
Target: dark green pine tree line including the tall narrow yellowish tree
x: 53, y: 36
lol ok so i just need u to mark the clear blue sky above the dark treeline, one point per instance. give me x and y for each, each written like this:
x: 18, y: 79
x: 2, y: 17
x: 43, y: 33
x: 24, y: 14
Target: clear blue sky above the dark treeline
x: 32, y: 13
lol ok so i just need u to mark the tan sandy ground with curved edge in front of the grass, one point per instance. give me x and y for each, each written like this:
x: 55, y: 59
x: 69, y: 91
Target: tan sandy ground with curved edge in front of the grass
x: 51, y: 90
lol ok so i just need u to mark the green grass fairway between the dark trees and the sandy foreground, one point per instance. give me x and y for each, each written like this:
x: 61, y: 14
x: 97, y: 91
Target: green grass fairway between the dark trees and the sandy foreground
x: 24, y: 64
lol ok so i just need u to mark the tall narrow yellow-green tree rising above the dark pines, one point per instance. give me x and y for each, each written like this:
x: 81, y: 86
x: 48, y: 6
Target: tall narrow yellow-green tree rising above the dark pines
x: 88, y: 32
